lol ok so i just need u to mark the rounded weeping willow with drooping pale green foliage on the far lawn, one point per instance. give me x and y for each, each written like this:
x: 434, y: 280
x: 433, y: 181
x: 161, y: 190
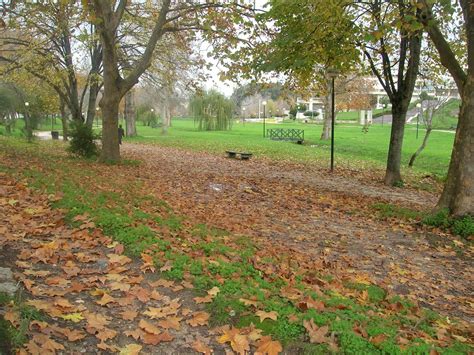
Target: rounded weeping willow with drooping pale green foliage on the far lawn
x: 212, y: 111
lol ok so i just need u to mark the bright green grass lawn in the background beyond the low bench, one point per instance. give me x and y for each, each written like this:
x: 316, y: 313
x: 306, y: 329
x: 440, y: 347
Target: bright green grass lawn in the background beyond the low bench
x: 353, y: 148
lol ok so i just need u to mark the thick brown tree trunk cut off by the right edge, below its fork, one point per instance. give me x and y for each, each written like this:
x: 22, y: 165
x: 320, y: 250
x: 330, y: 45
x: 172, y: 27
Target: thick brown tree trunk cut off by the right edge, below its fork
x: 458, y: 193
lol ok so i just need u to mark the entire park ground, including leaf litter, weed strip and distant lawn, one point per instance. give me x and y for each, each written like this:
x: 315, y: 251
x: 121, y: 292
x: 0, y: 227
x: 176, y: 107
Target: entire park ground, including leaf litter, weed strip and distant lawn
x: 180, y: 249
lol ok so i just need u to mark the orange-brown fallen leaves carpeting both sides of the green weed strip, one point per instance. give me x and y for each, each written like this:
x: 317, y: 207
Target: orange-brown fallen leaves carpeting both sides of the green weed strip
x: 96, y: 297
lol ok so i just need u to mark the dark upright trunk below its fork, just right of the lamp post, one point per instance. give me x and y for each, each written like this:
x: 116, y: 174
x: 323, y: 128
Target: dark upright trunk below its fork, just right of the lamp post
x: 393, y: 175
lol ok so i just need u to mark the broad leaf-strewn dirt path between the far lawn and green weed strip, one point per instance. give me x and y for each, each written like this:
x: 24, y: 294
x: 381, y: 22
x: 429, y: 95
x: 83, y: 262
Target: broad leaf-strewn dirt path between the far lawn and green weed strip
x: 313, y: 212
